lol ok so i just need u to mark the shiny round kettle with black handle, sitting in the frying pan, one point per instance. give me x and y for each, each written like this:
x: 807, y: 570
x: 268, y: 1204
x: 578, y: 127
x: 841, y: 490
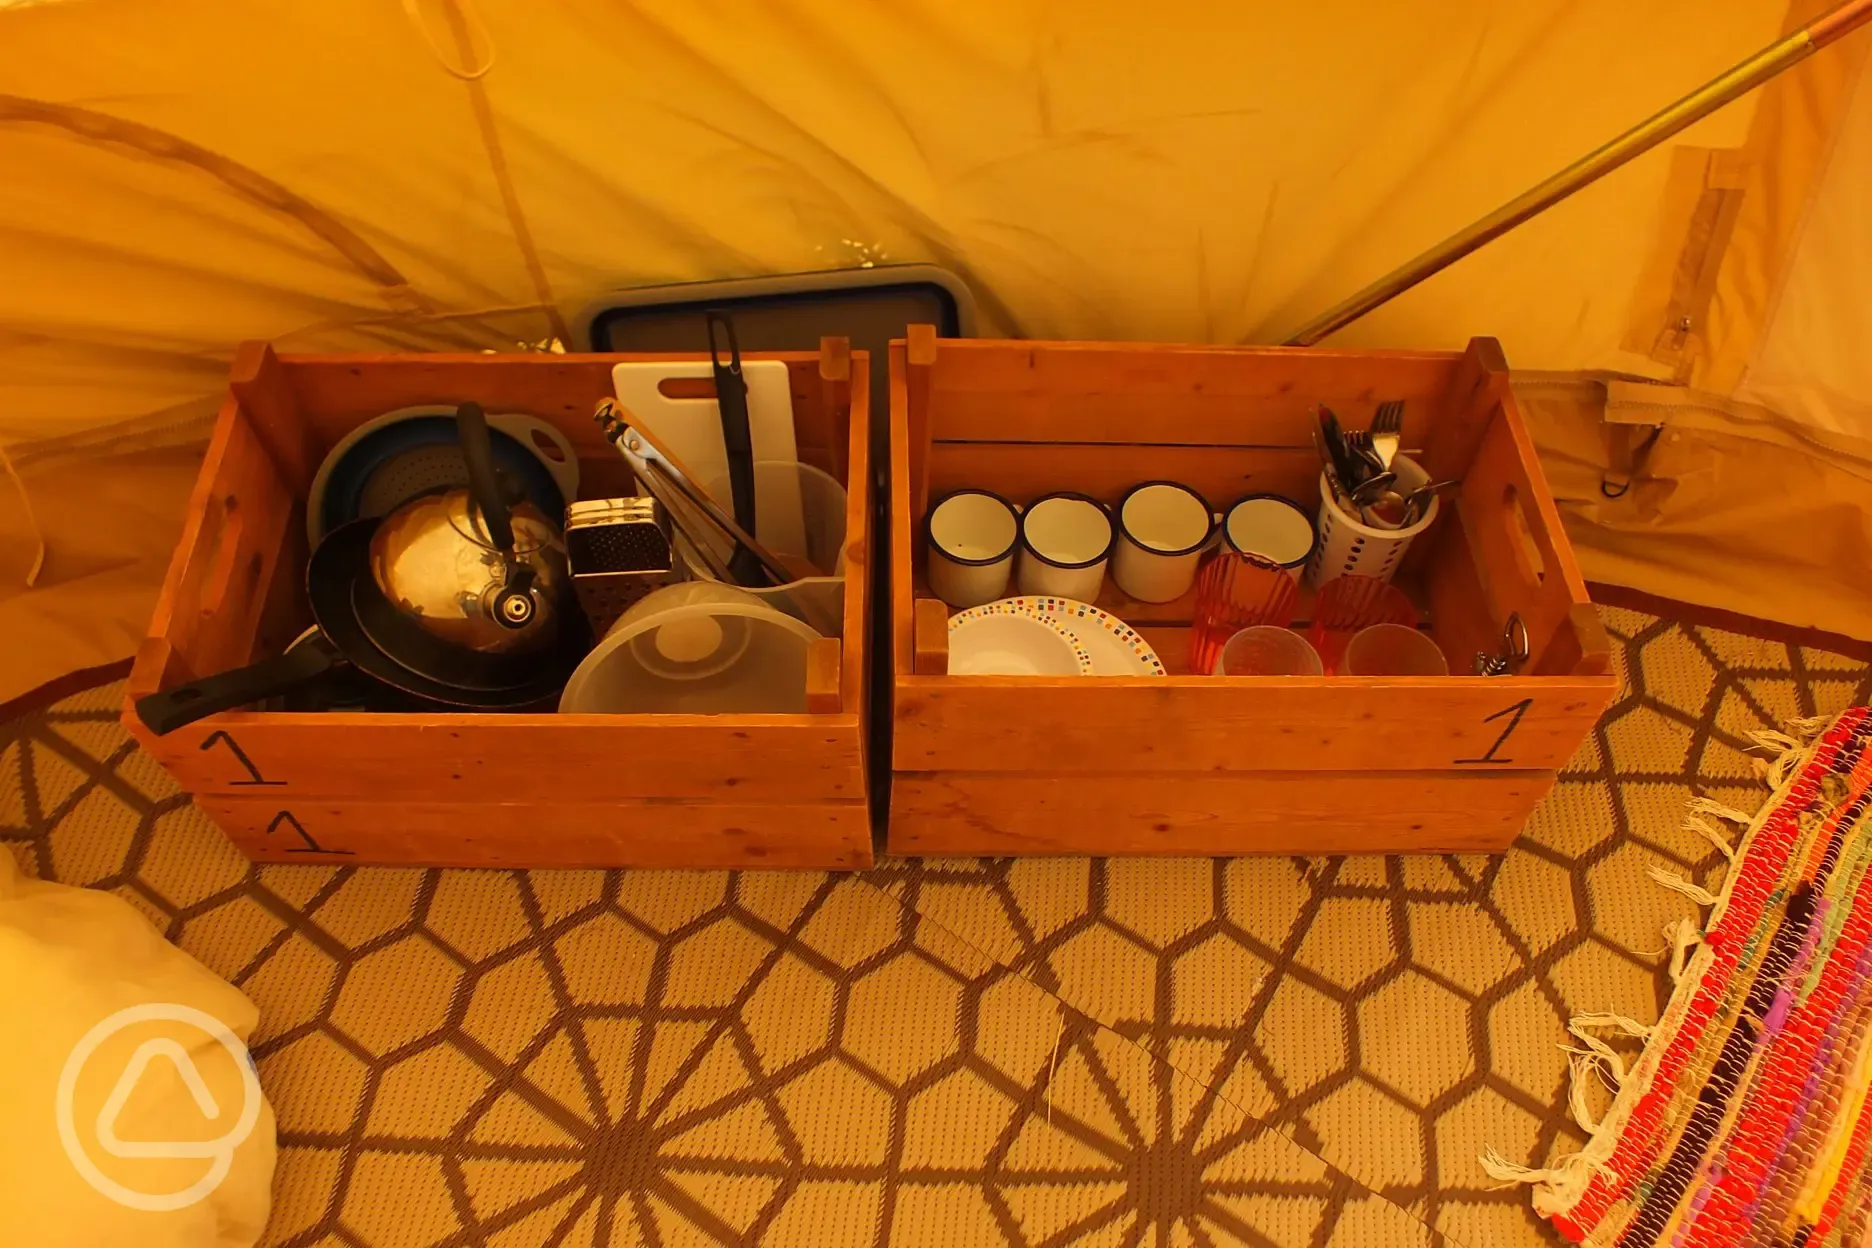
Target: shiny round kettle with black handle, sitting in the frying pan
x: 471, y: 568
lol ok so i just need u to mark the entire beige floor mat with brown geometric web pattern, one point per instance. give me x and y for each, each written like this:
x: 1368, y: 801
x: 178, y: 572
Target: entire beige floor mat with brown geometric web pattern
x: 1291, y: 1052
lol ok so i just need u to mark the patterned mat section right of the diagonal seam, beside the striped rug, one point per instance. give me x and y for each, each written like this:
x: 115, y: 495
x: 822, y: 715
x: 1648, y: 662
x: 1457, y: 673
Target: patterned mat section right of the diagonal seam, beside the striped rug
x: 1401, y: 1015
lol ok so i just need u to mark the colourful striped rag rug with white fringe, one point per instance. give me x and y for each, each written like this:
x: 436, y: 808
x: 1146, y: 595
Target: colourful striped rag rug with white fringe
x: 1744, y: 1120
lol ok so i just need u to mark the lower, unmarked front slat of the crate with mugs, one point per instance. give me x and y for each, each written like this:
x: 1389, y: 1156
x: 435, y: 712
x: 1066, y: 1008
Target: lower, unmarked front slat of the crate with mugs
x: 993, y: 815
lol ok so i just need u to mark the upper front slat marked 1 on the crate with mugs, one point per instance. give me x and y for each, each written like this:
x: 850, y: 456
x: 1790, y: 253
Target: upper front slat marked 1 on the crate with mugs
x: 1192, y: 725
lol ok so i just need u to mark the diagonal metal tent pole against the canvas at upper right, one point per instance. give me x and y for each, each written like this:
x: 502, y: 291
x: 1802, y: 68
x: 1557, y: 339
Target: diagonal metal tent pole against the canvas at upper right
x: 1637, y: 141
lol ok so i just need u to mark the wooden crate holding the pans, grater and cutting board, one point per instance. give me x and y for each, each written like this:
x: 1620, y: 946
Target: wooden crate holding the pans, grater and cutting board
x: 491, y: 791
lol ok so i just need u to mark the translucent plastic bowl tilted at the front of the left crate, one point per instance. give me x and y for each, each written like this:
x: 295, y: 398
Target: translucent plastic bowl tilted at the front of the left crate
x: 697, y: 648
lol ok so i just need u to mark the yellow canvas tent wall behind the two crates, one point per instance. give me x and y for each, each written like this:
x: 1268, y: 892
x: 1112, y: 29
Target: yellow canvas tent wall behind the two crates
x: 460, y: 175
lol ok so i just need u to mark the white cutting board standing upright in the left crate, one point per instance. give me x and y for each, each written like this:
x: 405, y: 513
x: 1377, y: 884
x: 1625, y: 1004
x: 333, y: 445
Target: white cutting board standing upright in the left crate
x: 692, y: 431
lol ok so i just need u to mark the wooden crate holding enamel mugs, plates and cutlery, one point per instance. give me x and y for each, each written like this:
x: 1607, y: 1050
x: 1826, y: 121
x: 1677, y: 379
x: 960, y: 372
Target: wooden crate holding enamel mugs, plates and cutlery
x: 1201, y: 764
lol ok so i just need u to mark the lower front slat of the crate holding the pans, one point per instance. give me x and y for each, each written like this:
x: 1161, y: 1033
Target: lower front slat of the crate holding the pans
x: 415, y: 834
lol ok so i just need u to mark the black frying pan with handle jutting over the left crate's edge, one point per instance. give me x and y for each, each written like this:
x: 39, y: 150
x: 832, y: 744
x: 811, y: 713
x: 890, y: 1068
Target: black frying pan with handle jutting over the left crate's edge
x: 342, y: 594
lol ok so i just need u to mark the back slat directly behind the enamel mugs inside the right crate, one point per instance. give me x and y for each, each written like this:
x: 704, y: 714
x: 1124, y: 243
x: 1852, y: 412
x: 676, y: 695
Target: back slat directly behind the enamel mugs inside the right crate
x: 1023, y: 472
